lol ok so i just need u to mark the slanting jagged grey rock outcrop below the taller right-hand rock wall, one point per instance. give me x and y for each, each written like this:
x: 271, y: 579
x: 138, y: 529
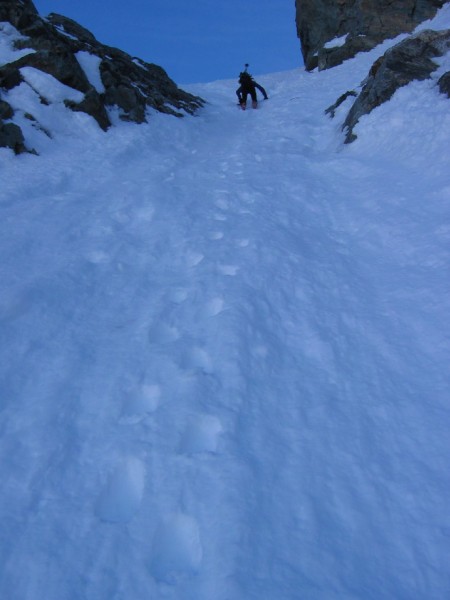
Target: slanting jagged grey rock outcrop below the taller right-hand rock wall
x: 409, y: 60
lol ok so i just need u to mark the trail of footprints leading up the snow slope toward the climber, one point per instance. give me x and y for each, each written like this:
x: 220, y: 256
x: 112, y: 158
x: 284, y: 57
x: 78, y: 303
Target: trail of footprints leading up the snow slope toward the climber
x: 176, y: 548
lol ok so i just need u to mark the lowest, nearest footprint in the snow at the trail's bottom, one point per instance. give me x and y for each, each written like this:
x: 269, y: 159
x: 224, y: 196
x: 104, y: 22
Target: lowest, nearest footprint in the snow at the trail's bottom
x: 177, y: 551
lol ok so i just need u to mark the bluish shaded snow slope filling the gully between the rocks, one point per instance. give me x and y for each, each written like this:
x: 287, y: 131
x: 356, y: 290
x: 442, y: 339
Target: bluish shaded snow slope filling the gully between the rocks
x: 225, y: 351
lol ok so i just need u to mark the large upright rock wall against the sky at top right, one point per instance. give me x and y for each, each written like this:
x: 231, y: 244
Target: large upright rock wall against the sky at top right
x: 364, y: 23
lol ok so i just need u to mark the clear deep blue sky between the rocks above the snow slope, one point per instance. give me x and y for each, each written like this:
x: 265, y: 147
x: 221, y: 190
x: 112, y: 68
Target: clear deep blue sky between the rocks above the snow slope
x: 193, y: 41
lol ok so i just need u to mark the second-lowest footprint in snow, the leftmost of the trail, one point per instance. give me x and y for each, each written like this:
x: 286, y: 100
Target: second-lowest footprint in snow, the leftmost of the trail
x: 122, y: 494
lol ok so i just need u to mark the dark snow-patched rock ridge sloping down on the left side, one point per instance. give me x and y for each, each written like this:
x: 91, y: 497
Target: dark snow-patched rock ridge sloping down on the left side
x: 128, y: 83
